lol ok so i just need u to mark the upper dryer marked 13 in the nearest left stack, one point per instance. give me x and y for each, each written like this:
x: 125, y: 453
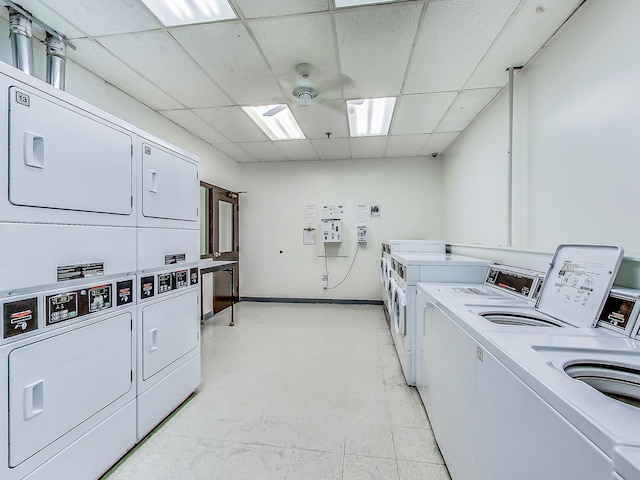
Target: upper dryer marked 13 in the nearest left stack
x: 68, y: 195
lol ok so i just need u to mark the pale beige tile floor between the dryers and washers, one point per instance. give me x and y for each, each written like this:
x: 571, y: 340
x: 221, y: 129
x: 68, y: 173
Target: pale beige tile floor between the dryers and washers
x: 294, y: 392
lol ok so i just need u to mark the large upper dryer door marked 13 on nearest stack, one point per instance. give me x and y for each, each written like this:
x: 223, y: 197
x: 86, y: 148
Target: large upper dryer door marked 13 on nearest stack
x: 65, y: 158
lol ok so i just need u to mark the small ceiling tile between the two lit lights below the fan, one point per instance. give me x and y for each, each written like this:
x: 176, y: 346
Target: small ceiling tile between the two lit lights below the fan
x: 319, y: 118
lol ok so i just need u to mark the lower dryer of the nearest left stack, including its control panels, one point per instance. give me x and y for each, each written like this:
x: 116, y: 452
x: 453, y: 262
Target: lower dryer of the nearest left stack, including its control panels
x: 68, y: 356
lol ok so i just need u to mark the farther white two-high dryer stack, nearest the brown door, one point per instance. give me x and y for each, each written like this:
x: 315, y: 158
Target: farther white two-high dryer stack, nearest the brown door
x: 168, y: 238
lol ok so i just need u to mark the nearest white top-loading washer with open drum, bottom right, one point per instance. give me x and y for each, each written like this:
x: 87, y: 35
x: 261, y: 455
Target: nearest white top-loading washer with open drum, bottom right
x: 568, y: 399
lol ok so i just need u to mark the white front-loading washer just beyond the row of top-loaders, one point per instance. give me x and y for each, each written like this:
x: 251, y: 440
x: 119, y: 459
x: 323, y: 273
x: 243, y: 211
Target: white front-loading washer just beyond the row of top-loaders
x: 407, y: 271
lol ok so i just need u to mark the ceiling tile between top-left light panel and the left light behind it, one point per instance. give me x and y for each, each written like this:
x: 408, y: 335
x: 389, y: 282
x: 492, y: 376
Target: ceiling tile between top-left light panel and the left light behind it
x: 229, y: 55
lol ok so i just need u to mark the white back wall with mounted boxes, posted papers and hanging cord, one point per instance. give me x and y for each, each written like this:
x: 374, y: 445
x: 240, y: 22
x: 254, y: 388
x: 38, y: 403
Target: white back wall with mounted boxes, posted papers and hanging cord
x: 408, y: 190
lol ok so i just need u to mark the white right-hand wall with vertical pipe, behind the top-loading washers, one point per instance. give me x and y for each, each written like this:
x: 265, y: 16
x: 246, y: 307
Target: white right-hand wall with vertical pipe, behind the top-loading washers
x: 576, y: 142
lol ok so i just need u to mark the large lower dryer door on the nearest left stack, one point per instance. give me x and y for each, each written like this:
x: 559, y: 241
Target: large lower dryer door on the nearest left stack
x: 57, y: 383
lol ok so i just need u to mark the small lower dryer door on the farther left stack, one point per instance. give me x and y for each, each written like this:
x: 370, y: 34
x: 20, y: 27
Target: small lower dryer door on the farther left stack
x: 170, y: 329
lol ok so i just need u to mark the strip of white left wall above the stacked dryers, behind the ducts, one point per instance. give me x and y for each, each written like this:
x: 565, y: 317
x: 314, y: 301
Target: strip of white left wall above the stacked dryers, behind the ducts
x: 215, y: 166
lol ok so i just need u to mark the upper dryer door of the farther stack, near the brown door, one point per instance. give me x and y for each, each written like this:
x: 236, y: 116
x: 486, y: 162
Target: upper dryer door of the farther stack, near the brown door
x: 170, y: 185
